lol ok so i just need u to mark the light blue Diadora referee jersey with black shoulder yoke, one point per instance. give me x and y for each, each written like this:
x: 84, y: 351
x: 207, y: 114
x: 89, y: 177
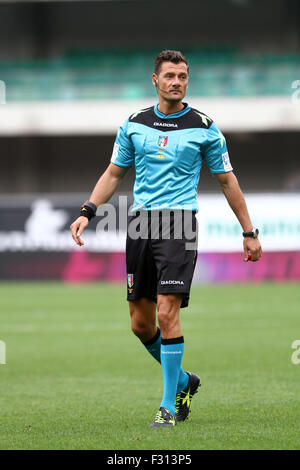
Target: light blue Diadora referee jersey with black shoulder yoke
x: 167, y: 152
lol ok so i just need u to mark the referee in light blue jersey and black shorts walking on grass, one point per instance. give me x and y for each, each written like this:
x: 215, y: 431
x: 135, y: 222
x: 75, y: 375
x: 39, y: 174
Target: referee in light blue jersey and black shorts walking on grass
x: 167, y: 143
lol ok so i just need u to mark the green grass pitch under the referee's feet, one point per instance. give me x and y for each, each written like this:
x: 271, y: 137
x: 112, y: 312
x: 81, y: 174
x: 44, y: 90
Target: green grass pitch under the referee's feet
x: 77, y: 378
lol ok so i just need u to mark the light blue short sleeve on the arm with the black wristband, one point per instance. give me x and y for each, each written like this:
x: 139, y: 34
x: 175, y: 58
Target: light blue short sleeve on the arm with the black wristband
x: 123, y: 151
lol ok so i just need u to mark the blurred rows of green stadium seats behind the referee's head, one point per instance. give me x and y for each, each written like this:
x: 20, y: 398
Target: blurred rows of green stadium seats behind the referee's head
x: 125, y: 74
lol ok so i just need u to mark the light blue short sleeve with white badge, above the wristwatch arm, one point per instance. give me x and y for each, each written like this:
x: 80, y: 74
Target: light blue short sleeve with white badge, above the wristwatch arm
x: 215, y: 151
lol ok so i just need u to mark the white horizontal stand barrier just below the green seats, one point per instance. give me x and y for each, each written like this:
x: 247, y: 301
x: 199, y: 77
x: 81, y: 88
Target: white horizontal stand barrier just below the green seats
x: 232, y: 114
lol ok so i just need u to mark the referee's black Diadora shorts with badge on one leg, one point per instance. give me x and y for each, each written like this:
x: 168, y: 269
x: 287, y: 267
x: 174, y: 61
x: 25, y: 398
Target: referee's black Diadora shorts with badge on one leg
x: 161, y: 253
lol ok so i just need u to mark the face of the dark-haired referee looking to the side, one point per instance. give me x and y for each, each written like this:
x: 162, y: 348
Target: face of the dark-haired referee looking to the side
x: 172, y: 81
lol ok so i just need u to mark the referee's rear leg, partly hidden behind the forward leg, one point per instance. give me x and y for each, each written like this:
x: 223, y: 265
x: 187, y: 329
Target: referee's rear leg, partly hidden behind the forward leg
x: 143, y: 325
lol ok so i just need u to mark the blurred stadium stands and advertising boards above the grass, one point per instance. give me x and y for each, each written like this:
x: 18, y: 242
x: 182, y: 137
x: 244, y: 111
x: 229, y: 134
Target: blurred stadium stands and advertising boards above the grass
x: 73, y: 71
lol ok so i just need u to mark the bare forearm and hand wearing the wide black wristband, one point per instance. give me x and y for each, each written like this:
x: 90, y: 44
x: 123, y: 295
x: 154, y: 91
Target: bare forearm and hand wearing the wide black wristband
x: 102, y: 192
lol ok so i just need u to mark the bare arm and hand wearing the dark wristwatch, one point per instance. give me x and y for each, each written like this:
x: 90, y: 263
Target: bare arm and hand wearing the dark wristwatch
x: 235, y: 198
